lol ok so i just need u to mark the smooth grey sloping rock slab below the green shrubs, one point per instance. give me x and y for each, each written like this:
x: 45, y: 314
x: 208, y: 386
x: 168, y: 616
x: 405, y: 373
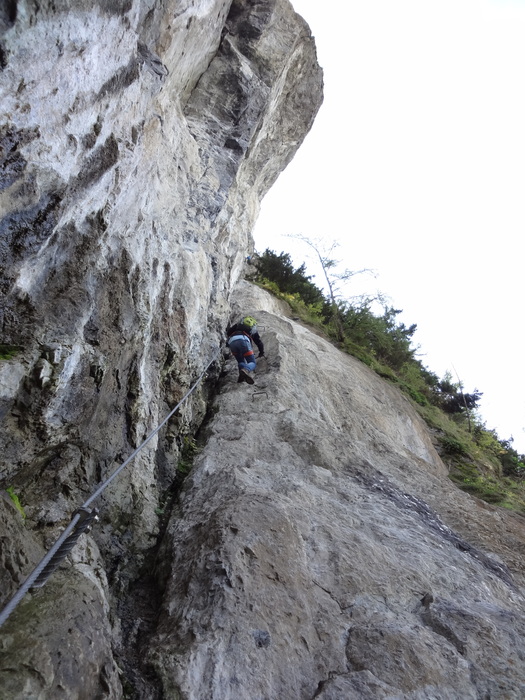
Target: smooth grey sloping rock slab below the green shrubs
x: 320, y: 550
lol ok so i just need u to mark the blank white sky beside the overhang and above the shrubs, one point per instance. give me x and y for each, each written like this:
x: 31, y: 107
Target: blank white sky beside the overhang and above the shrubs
x: 416, y: 165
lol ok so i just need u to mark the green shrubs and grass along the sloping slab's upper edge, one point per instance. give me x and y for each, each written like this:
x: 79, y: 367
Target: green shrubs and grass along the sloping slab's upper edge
x: 479, y: 461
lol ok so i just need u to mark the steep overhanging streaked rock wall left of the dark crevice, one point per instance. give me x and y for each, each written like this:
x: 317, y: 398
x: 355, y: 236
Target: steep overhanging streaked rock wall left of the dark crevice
x: 137, y: 139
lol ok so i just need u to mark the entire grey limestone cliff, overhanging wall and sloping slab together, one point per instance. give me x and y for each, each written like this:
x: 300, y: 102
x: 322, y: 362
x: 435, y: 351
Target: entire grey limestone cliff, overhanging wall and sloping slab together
x: 317, y: 548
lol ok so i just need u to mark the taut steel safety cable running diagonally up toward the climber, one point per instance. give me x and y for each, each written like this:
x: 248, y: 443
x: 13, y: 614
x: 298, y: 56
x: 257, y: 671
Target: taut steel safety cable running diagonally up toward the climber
x: 83, y: 519
